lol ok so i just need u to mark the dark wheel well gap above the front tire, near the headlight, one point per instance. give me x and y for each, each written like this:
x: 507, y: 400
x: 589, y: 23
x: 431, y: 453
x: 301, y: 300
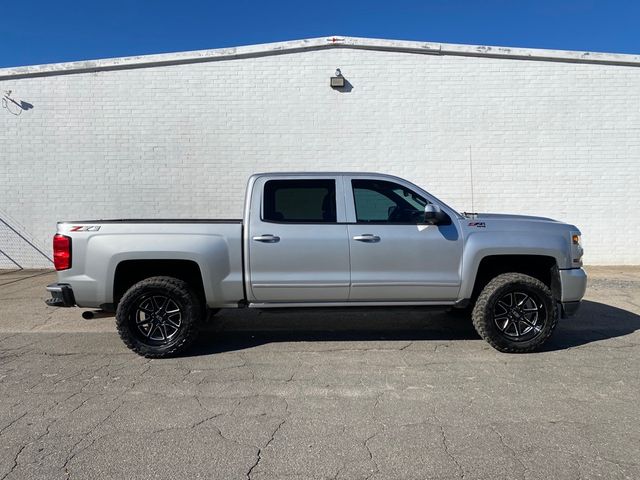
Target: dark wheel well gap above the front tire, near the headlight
x: 542, y: 267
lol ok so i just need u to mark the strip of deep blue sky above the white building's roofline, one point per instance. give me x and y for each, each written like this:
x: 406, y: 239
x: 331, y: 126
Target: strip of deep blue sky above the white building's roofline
x: 39, y: 31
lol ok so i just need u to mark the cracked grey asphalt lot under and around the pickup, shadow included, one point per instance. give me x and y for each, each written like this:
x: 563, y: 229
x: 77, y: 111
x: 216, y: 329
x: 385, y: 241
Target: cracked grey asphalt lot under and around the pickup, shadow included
x: 360, y: 394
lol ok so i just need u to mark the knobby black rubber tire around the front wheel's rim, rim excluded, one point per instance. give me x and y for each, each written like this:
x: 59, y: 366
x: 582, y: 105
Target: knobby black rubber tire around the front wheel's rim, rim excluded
x: 485, y: 308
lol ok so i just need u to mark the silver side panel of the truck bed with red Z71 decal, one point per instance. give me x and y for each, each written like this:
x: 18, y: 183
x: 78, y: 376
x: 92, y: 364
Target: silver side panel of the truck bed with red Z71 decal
x: 100, y: 248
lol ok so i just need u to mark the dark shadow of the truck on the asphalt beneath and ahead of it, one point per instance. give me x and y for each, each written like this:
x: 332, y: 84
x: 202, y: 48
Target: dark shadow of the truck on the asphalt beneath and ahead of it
x: 242, y: 329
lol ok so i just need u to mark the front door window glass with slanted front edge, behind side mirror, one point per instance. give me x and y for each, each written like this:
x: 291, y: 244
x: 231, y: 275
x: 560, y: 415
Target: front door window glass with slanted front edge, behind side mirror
x: 379, y: 201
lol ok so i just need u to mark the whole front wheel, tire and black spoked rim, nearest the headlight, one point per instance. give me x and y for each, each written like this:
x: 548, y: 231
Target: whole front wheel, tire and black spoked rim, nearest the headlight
x: 515, y: 313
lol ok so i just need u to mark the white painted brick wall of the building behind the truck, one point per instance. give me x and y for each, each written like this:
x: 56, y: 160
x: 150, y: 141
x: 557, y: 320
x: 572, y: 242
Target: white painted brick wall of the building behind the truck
x: 548, y: 138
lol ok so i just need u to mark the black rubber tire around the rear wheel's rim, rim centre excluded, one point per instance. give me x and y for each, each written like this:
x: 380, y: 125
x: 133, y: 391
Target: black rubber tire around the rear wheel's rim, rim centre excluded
x: 179, y: 292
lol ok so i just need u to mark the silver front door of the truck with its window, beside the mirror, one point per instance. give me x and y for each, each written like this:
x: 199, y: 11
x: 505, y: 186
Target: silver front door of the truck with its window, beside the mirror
x: 393, y: 256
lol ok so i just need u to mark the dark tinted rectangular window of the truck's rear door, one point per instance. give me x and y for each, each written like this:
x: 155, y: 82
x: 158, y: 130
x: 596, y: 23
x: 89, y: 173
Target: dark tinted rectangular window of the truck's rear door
x: 300, y: 201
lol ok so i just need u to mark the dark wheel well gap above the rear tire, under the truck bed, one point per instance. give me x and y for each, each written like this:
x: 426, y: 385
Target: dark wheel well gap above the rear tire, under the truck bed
x: 130, y: 272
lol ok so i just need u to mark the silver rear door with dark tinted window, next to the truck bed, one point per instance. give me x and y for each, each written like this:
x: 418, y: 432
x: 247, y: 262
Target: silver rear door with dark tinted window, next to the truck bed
x: 297, y: 240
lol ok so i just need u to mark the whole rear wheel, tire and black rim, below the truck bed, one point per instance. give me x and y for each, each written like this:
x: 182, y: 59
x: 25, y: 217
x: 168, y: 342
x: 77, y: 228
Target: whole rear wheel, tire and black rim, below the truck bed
x: 159, y: 317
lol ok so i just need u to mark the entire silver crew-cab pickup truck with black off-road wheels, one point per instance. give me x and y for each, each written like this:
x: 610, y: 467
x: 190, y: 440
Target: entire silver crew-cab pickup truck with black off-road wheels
x: 323, y: 240
